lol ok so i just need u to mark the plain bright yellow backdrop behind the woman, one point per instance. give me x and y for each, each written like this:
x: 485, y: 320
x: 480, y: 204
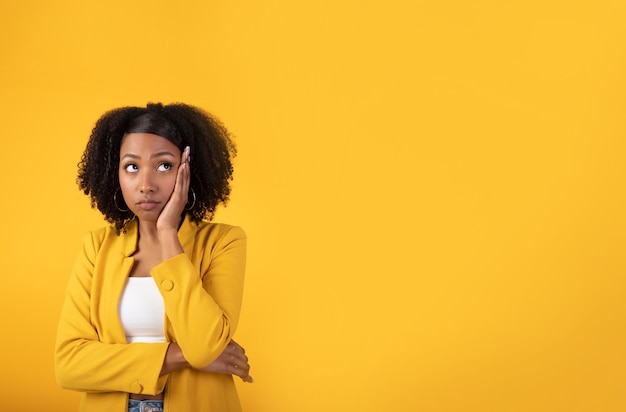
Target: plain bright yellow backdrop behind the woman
x: 433, y: 190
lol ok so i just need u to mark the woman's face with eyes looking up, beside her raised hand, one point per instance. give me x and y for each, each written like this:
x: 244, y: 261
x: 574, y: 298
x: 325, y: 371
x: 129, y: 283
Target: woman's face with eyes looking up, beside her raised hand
x: 147, y: 172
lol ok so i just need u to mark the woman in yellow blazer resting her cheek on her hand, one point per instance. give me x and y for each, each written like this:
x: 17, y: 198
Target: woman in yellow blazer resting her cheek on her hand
x: 154, y: 298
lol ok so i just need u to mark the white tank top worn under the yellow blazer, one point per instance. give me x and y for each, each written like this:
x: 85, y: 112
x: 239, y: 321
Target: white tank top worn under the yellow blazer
x: 141, y: 310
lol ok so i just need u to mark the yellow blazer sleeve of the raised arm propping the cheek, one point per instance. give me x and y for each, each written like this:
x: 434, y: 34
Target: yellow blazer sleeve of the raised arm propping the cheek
x: 203, y: 301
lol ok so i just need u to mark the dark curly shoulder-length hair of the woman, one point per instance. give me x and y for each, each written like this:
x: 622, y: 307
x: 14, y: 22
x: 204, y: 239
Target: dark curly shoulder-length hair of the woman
x: 212, y: 150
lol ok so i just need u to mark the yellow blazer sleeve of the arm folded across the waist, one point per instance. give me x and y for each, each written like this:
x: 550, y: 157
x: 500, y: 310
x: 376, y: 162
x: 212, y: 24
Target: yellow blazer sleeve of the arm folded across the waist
x: 82, y: 361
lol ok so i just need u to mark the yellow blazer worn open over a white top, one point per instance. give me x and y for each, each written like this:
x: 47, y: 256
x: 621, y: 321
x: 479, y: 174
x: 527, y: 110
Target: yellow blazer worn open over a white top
x: 202, y: 291
